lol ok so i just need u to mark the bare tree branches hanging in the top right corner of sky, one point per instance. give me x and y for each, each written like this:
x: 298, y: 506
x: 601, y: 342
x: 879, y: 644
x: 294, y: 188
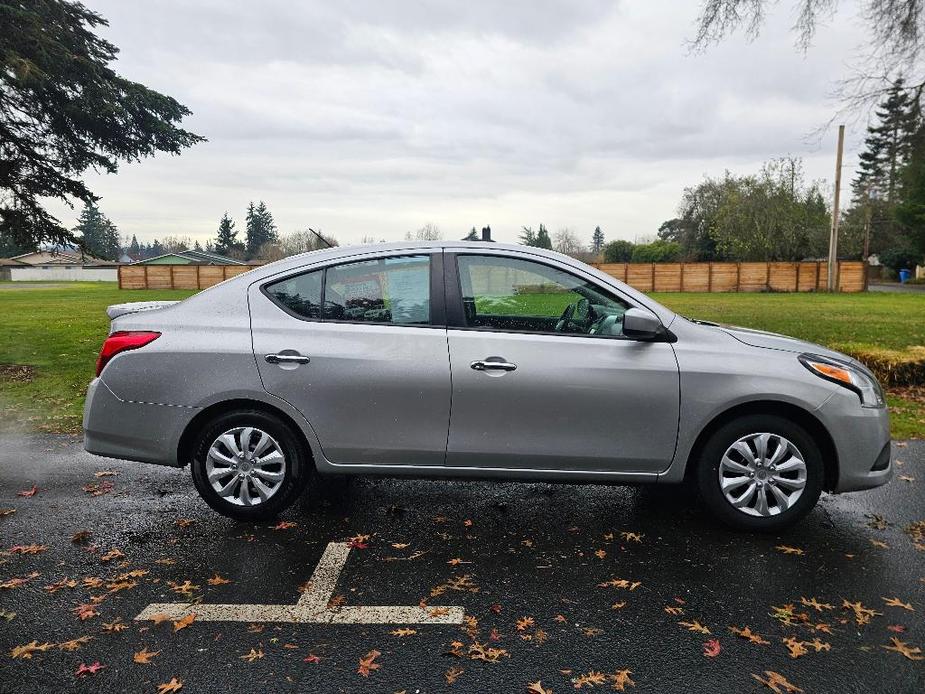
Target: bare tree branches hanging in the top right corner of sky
x: 893, y: 45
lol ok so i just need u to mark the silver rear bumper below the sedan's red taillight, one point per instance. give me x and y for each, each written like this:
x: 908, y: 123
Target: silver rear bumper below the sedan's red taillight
x: 128, y: 430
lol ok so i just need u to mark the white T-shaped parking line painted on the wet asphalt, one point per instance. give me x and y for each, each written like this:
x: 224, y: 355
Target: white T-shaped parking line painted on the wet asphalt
x: 312, y: 606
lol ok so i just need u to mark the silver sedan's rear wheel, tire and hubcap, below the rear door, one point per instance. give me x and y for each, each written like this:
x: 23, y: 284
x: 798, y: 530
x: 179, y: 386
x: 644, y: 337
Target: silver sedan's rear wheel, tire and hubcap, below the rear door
x: 249, y: 465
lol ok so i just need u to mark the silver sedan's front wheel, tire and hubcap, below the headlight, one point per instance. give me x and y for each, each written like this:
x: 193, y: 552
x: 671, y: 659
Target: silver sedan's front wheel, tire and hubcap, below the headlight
x: 760, y: 472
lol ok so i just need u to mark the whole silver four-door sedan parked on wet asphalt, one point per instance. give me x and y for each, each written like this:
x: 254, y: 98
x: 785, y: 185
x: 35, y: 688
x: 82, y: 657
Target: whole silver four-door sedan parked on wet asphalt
x: 463, y: 360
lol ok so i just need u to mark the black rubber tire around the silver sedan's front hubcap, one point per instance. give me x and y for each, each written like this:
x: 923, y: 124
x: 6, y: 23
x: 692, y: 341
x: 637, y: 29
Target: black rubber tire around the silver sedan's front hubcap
x: 719, y: 442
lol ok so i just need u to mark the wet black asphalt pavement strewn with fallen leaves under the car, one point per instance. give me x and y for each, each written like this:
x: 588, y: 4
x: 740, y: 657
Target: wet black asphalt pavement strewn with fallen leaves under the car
x: 568, y: 584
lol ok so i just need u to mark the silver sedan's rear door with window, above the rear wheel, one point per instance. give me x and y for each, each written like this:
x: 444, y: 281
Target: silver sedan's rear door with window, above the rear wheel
x: 369, y: 371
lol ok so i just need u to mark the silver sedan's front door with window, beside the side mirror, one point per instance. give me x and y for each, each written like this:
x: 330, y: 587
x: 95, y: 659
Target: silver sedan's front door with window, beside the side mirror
x: 543, y: 377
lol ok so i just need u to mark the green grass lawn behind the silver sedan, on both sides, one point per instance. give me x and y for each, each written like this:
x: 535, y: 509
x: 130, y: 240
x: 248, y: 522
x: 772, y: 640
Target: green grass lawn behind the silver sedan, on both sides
x: 57, y: 330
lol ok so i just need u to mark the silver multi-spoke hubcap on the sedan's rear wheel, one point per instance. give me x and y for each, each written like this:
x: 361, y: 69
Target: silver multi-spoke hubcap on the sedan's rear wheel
x: 245, y: 466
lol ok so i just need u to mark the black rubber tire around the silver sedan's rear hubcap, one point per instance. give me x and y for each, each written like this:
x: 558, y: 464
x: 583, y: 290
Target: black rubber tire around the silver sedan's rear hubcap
x: 299, y: 468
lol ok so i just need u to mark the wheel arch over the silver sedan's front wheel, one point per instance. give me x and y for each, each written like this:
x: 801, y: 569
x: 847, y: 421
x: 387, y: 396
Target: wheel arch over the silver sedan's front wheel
x: 794, y: 413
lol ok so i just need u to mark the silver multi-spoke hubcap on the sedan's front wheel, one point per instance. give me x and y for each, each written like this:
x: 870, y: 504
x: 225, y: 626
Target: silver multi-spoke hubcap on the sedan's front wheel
x: 762, y: 474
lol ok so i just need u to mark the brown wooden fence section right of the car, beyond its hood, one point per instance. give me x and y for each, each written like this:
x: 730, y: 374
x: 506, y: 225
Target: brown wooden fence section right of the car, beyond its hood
x: 737, y: 277
